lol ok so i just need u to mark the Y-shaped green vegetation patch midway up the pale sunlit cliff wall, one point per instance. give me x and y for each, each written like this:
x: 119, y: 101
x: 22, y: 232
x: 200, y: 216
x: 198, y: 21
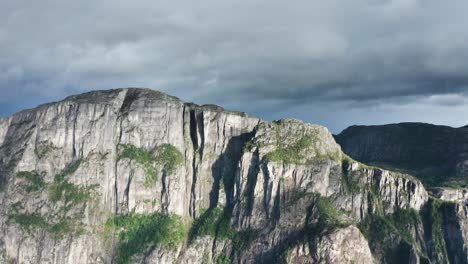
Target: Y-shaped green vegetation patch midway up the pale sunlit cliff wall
x: 166, y: 155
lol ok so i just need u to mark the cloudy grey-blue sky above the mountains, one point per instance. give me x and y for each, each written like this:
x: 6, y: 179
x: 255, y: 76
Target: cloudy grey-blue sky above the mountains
x: 334, y: 63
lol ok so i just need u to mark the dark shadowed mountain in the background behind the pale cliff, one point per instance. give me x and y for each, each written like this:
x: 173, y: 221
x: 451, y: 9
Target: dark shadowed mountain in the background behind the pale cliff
x: 436, y: 154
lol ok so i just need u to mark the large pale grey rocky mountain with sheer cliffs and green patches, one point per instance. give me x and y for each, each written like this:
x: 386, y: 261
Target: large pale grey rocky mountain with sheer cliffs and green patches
x: 137, y: 176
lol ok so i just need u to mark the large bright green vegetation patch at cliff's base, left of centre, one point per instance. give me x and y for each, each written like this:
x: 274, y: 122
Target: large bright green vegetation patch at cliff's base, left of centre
x: 137, y: 233
